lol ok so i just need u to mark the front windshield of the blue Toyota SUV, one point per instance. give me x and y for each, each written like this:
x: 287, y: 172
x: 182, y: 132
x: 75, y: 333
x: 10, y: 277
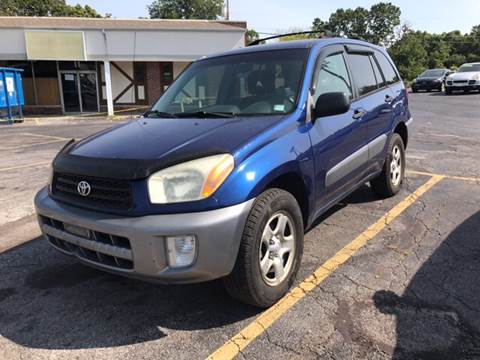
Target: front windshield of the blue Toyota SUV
x: 257, y: 83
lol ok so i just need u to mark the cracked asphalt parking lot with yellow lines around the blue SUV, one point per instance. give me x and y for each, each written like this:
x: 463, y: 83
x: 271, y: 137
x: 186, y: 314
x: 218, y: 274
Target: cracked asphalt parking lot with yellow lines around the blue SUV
x: 380, y: 279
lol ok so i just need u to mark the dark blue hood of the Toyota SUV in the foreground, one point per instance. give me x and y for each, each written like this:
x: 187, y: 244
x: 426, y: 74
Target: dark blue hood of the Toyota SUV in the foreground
x: 136, y: 149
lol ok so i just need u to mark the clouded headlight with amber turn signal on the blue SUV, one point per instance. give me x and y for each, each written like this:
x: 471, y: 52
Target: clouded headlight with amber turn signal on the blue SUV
x: 190, y: 181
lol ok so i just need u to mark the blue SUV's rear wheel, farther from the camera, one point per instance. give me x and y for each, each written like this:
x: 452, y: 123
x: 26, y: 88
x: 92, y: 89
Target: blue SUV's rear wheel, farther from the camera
x: 389, y: 182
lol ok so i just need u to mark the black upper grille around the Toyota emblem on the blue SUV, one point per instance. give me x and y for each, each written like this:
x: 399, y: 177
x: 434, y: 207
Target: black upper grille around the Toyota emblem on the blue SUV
x: 104, y: 193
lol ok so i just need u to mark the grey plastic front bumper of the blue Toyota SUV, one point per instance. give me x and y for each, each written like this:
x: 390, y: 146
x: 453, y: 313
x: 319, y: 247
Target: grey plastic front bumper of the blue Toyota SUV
x: 136, y: 246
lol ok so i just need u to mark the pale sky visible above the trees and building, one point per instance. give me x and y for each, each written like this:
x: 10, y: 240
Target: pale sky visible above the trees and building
x: 273, y: 16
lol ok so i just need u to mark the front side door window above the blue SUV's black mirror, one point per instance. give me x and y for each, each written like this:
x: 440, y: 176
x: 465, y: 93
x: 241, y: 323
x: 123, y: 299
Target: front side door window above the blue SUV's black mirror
x: 332, y: 77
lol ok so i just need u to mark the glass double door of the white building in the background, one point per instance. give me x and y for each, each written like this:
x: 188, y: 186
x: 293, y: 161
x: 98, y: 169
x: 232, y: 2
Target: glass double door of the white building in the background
x: 79, y: 90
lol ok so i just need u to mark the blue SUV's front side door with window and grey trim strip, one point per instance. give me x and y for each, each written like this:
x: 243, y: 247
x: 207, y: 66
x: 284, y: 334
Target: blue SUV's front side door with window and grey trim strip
x: 338, y: 141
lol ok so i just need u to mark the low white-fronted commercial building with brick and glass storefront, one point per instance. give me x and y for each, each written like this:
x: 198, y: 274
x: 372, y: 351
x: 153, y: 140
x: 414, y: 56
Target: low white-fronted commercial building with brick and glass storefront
x: 74, y: 65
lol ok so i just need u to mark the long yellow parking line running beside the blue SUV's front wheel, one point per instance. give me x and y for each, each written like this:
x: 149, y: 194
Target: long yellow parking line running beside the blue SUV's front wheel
x: 241, y: 340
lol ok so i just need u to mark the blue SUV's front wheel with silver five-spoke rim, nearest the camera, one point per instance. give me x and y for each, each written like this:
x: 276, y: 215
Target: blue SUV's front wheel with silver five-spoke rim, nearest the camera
x: 247, y: 282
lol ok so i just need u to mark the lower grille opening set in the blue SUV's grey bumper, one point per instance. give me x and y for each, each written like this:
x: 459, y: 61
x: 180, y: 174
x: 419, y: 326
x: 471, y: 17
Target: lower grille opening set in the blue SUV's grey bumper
x: 95, y: 246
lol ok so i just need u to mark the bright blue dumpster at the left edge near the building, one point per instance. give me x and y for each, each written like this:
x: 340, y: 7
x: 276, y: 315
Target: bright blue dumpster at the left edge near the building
x: 11, y: 93
